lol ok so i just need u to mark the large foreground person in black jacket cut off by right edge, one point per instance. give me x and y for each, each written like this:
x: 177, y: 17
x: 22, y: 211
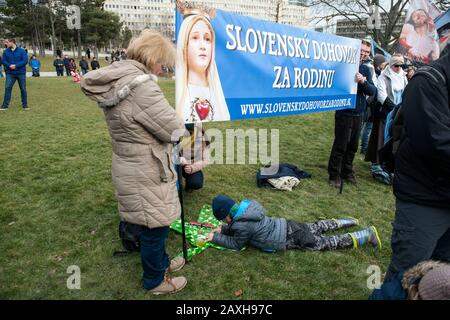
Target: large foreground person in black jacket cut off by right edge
x: 421, y: 229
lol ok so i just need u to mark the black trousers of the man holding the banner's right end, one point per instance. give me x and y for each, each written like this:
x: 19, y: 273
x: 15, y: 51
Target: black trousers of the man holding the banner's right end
x: 346, y: 136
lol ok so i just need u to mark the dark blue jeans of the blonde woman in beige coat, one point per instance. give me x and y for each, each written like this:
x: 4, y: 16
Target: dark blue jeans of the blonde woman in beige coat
x: 154, y: 258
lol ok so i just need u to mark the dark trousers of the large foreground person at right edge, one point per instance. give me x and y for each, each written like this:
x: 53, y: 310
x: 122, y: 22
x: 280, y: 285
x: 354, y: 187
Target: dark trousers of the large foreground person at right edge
x: 419, y: 233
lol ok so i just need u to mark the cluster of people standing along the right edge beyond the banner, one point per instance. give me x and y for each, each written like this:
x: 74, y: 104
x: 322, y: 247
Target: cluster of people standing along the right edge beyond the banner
x: 415, y: 101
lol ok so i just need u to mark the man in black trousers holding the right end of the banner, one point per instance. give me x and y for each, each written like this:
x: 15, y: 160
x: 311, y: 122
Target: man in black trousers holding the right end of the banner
x: 348, y: 127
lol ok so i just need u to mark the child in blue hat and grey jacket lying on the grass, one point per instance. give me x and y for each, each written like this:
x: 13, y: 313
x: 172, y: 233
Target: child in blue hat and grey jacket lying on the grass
x: 248, y: 224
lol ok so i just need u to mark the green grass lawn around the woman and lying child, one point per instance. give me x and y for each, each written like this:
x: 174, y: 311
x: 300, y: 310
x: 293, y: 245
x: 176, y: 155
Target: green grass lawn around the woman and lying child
x: 57, y: 209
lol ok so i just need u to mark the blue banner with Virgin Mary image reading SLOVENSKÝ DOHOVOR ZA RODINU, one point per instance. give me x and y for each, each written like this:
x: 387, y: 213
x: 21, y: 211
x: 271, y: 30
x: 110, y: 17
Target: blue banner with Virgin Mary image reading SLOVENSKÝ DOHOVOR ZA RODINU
x: 233, y: 67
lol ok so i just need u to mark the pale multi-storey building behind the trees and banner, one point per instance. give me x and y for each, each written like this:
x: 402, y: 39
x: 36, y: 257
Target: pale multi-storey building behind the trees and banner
x: 160, y: 14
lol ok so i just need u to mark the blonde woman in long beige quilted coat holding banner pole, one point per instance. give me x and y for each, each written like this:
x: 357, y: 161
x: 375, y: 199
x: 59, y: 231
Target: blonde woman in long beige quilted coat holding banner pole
x: 142, y: 125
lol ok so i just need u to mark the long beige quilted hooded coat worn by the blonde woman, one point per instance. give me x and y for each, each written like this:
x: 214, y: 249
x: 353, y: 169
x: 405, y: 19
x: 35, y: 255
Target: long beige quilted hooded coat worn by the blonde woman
x: 141, y: 123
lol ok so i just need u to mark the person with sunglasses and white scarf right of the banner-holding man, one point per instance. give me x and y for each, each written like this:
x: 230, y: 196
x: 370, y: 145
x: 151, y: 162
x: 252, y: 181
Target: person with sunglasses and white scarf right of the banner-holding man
x: 391, y: 84
